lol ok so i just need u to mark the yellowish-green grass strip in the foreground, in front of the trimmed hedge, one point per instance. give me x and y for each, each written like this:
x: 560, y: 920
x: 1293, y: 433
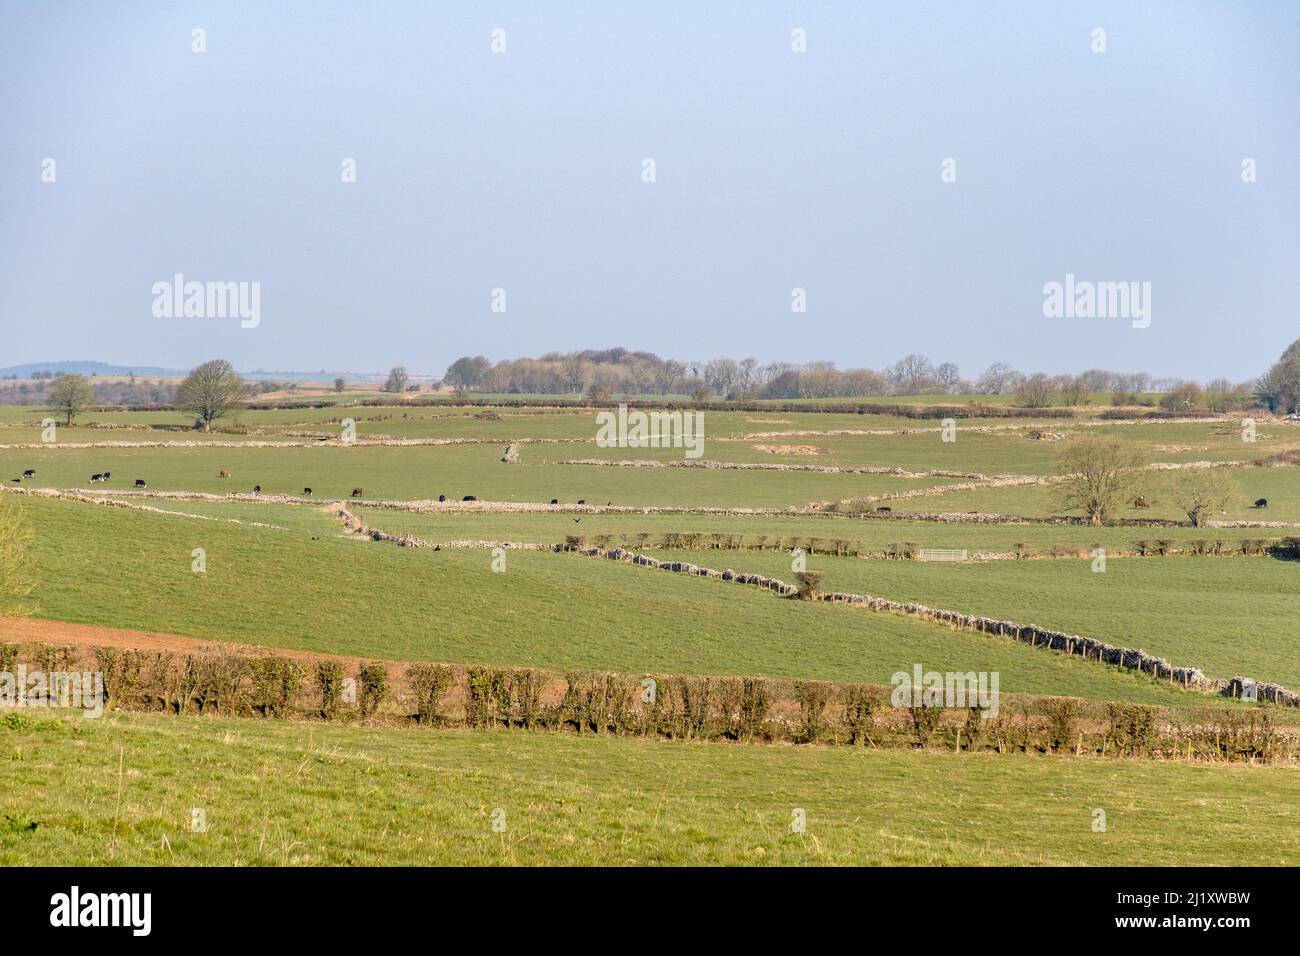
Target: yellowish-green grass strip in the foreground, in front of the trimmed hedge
x: 285, y: 794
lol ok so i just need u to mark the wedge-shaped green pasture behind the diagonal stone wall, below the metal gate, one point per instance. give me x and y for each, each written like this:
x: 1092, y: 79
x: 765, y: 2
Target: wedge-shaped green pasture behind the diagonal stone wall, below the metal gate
x: 1228, y: 616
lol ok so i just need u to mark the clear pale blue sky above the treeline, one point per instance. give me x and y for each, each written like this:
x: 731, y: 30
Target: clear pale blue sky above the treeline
x: 774, y: 171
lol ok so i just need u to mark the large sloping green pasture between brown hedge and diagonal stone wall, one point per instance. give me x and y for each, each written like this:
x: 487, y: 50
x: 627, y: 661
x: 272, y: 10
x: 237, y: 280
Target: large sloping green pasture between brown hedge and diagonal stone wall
x: 333, y: 595
